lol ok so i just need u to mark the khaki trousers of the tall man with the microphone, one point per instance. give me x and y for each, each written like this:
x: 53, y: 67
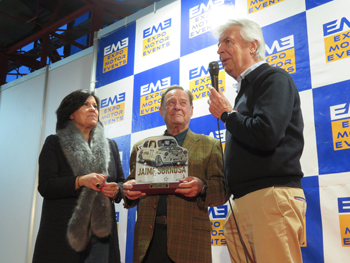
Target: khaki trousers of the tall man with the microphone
x: 271, y: 223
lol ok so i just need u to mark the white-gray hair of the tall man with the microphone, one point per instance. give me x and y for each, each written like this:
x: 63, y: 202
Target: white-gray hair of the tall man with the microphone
x: 250, y: 31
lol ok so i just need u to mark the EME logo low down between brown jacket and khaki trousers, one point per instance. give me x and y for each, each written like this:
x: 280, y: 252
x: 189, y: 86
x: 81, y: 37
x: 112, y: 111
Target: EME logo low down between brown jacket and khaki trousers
x: 217, y: 225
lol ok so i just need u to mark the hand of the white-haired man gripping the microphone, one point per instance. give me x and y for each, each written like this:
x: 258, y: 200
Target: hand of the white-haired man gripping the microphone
x: 218, y: 103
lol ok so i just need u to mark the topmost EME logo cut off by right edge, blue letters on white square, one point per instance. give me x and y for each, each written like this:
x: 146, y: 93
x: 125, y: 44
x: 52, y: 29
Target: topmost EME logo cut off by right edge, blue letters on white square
x: 336, y: 39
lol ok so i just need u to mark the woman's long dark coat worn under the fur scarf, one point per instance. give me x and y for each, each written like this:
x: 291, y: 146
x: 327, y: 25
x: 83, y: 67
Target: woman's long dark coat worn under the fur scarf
x: 57, y: 186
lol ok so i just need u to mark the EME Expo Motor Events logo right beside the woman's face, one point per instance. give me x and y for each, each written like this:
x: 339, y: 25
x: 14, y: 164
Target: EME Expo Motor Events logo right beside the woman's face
x: 112, y: 109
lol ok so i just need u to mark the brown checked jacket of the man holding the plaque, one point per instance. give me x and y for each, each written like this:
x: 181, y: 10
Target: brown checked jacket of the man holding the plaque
x: 189, y: 228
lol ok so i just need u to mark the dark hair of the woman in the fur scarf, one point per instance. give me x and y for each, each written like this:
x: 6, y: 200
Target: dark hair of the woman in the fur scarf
x: 70, y: 104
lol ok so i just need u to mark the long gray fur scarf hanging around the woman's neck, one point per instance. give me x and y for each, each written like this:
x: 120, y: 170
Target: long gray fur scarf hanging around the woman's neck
x: 92, y: 214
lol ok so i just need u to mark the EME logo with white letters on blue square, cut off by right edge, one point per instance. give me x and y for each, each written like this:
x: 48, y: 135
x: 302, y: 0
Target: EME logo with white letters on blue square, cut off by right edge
x: 340, y: 126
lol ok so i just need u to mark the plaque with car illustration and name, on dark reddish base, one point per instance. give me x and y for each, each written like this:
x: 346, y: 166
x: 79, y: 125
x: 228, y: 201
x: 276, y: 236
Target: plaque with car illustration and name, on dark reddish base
x: 160, y: 164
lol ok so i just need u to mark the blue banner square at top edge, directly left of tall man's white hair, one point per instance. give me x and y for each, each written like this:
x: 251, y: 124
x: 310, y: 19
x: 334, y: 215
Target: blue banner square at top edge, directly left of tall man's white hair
x: 197, y: 21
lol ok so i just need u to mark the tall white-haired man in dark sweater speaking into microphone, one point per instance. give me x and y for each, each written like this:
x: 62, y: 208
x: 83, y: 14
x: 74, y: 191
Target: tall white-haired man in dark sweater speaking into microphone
x: 264, y: 142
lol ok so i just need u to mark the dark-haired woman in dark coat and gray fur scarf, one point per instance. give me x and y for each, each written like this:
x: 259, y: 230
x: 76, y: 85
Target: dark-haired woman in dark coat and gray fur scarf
x: 80, y: 176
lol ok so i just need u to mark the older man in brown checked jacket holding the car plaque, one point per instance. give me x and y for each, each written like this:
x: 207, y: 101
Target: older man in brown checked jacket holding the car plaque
x: 176, y: 228
